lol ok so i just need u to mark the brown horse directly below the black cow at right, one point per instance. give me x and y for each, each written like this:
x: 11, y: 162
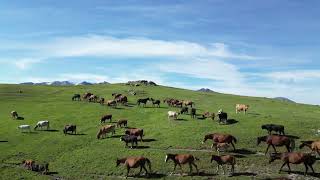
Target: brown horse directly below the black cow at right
x: 277, y: 140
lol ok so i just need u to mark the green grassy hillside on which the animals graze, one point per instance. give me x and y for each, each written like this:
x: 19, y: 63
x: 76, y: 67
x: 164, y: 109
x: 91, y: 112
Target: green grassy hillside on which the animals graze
x: 85, y: 157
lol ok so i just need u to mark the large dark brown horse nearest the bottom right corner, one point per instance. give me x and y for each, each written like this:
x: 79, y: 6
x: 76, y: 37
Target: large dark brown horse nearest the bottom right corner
x: 294, y: 158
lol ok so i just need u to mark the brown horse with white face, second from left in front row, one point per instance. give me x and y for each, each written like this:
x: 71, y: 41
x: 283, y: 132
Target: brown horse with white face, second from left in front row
x: 179, y: 159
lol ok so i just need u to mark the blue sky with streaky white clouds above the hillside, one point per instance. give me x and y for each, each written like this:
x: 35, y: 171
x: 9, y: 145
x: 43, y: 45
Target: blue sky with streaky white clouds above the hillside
x: 253, y: 48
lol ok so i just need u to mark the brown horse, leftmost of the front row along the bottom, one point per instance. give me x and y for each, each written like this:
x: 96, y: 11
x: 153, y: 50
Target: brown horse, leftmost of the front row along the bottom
x: 135, y: 162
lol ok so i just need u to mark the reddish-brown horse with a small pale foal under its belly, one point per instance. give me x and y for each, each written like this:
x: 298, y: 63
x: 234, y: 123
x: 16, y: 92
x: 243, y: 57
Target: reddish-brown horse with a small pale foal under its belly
x: 220, y: 138
